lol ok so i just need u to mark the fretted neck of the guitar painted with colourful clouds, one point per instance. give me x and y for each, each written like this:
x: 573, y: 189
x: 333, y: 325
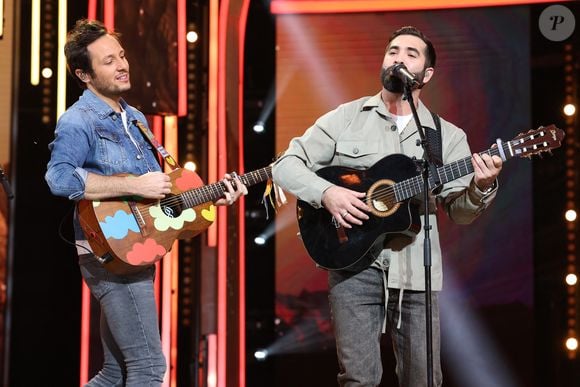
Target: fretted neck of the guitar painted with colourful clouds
x: 212, y: 192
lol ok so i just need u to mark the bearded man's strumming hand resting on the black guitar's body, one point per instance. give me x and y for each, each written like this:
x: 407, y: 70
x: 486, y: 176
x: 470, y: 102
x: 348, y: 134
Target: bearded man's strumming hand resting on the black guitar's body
x: 345, y: 205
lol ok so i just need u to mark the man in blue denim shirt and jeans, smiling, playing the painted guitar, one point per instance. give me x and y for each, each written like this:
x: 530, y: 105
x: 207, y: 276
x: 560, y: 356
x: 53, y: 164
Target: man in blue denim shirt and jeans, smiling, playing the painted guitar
x: 95, y: 139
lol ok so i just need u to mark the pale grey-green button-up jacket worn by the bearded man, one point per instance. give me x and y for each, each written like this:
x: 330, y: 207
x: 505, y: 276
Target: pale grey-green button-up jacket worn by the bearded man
x: 357, y: 134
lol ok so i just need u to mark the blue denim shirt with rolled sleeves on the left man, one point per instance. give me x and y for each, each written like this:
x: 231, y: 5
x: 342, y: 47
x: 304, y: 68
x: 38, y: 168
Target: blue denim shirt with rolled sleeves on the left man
x: 90, y: 137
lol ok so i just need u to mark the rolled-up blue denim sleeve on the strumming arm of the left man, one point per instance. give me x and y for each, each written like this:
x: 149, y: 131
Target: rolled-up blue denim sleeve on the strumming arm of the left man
x: 68, y: 152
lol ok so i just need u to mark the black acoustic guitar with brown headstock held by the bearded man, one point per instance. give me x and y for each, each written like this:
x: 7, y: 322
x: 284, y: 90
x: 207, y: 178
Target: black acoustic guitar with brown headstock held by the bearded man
x: 389, y: 185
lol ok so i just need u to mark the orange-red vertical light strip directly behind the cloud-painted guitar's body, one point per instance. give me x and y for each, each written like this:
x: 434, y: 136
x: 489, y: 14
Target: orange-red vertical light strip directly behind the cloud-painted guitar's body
x: 169, y: 283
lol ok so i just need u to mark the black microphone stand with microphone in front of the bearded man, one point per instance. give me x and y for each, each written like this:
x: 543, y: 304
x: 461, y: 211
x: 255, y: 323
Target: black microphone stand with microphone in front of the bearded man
x: 426, y: 166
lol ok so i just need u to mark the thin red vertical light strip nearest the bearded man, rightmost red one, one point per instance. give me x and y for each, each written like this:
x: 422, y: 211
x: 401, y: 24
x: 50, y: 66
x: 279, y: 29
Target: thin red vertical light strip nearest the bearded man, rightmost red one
x: 242, y: 203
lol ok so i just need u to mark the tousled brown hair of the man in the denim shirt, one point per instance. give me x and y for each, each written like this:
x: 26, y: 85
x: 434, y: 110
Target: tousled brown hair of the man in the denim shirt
x: 78, y: 39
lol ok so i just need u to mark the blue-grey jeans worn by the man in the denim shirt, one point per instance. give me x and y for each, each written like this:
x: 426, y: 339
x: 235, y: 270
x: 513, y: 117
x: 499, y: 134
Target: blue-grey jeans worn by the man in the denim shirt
x: 129, y: 326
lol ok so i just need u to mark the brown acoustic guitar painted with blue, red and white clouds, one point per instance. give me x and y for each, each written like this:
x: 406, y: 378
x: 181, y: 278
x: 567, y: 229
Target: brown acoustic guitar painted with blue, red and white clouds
x: 130, y: 233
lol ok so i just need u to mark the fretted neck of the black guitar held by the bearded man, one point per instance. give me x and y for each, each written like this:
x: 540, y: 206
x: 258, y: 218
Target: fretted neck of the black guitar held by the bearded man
x: 408, y: 188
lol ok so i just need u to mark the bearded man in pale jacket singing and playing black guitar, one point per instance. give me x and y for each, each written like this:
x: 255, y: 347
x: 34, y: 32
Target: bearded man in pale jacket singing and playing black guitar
x: 389, y: 294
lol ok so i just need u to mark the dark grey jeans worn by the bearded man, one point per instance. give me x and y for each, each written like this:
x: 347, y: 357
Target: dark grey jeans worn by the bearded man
x: 357, y: 304
